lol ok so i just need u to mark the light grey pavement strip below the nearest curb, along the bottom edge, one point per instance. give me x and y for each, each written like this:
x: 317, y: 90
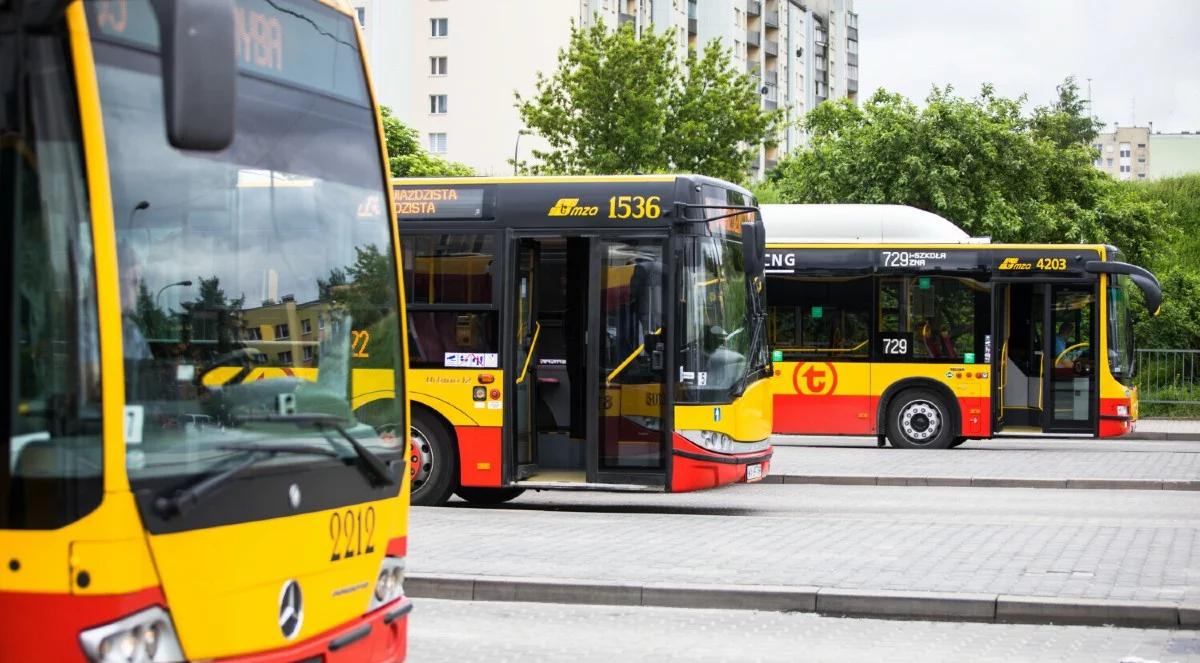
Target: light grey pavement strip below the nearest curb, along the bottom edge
x: 499, y: 632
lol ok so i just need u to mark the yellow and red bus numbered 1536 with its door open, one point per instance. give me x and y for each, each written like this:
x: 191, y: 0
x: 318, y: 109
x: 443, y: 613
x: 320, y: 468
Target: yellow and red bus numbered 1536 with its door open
x: 584, y: 333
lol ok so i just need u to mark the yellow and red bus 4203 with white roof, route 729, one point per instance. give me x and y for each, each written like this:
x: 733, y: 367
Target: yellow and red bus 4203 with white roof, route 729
x: 889, y: 321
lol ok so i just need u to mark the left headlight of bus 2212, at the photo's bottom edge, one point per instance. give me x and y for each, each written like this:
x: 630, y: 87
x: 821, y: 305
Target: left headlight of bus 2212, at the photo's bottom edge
x: 143, y: 637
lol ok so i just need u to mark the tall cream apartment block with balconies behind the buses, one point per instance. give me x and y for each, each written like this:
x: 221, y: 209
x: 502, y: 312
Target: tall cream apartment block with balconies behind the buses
x: 449, y: 68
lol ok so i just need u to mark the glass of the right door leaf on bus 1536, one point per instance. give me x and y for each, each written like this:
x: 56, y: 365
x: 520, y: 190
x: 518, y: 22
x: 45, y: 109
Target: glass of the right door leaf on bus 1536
x: 632, y: 327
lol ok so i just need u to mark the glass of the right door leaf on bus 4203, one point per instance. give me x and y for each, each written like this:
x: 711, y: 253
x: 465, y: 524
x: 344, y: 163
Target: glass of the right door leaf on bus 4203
x: 1071, y: 361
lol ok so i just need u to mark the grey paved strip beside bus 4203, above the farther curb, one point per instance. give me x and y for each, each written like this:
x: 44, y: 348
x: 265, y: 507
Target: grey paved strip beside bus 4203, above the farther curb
x: 1065, y: 461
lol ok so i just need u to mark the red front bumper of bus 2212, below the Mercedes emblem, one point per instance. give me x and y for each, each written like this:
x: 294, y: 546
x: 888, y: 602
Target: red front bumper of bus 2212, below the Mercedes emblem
x: 379, y: 637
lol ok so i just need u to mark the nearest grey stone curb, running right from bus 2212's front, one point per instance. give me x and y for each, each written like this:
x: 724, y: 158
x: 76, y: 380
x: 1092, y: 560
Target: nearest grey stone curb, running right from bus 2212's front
x: 826, y: 601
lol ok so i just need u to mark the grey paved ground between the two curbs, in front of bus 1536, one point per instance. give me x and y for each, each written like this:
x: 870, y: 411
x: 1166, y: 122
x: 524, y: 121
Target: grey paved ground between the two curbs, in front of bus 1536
x: 1124, y: 546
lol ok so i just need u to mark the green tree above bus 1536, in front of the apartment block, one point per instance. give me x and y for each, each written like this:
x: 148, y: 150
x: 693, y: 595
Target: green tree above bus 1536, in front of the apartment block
x: 620, y: 103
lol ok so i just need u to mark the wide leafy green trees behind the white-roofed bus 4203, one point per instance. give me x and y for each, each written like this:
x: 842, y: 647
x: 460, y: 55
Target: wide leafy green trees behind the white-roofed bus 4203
x: 980, y: 163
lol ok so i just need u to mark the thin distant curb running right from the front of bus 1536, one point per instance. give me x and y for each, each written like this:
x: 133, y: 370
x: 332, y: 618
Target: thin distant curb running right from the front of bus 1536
x: 986, y: 482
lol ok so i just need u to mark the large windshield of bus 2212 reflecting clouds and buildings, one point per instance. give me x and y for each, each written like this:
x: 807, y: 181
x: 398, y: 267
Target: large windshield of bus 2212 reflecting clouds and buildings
x: 244, y: 272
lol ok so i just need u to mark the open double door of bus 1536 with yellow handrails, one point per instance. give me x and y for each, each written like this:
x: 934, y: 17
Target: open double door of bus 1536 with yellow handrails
x: 589, y: 374
